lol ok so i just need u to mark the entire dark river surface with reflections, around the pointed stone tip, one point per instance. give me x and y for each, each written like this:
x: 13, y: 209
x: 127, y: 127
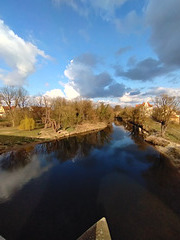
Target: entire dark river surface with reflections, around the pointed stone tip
x: 57, y: 190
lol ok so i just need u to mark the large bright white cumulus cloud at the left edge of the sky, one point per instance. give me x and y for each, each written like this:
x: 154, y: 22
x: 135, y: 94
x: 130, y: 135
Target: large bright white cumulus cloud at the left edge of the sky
x: 19, y: 55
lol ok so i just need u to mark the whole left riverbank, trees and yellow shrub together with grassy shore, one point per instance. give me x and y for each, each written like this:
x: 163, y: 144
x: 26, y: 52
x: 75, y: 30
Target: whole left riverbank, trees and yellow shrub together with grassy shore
x: 25, y: 119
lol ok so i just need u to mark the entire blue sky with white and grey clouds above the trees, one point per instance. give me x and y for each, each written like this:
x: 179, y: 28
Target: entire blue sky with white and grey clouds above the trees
x: 117, y: 51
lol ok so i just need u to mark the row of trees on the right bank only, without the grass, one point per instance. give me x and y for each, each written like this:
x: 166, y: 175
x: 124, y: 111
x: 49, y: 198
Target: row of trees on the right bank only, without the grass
x: 163, y: 110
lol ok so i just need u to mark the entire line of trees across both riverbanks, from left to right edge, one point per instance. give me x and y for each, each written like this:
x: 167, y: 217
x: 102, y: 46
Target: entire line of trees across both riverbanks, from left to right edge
x: 59, y: 113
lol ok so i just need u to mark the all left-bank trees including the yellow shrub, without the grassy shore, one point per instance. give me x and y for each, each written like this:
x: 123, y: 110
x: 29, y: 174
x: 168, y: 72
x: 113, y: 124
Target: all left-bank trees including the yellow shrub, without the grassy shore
x: 57, y: 113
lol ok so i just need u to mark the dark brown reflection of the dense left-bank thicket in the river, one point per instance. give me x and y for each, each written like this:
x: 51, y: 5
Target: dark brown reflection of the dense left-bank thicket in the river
x: 75, y: 147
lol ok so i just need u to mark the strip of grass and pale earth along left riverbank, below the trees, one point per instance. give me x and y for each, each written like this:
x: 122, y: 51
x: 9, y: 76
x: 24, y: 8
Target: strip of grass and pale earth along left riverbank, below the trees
x: 13, y: 139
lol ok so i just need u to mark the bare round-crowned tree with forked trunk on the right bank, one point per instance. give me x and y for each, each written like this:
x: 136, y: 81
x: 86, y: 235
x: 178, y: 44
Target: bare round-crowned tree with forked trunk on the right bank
x: 165, y: 106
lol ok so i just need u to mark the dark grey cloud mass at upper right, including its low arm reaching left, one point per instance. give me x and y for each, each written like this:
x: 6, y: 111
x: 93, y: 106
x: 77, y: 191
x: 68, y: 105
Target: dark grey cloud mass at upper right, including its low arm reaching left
x: 163, y: 22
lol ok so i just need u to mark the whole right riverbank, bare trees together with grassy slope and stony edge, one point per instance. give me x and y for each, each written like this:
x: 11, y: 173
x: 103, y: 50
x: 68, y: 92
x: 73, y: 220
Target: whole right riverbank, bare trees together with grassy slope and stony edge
x: 158, y: 124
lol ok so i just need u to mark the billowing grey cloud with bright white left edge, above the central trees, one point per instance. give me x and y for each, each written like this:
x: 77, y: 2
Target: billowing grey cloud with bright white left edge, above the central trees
x: 83, y: 79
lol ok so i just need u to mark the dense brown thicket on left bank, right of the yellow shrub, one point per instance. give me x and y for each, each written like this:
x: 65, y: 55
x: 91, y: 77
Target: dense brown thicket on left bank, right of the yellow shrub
x: 62, y: 113
